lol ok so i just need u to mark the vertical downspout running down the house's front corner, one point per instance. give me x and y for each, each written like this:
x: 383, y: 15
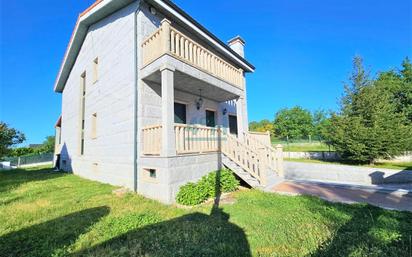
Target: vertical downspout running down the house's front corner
x: 135, y: 111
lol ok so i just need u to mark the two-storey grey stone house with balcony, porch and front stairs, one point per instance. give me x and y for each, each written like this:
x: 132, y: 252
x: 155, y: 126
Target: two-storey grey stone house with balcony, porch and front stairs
x: 152, y: 100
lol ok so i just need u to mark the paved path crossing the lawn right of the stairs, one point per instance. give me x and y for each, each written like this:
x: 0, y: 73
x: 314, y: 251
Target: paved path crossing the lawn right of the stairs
x: 385, y: 197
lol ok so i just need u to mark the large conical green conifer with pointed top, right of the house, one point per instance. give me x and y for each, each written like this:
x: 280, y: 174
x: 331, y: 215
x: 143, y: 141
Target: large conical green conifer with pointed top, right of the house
x: 369, y: 125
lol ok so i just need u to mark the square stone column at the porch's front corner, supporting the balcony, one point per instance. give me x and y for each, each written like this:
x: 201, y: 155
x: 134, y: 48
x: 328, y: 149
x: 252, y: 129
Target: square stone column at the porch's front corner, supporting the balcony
x: 168, y: 133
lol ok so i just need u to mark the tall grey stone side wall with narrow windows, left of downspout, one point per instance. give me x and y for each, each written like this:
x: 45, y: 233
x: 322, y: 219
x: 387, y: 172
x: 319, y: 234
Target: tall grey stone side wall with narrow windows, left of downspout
x: 109, y: 157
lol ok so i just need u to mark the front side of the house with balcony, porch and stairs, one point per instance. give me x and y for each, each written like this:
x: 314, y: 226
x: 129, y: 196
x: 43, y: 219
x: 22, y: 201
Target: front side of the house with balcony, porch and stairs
x: 180, y: 73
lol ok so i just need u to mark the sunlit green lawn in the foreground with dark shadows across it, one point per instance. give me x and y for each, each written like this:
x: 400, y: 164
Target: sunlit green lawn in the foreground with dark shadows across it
x: 44, y: 213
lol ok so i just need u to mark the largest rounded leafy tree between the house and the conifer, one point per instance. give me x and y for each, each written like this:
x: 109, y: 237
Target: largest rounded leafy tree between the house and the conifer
x: 293, y: 123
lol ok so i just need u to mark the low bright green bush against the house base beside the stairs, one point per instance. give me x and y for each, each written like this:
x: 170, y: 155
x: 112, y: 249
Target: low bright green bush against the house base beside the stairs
x: 196, y: 193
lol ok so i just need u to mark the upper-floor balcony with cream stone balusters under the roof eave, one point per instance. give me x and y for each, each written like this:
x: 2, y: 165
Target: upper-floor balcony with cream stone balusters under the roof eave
x: 168, y: 40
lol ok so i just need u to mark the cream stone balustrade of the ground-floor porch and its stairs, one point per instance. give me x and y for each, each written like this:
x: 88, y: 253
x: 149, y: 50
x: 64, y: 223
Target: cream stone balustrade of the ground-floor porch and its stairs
x: 251, y: 154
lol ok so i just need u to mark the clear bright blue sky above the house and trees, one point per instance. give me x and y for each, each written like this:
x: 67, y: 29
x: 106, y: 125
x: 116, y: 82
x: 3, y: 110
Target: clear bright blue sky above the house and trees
x: 302, y: 50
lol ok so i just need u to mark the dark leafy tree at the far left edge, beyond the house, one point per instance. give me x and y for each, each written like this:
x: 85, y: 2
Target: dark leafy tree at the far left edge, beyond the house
x: 8, y: 138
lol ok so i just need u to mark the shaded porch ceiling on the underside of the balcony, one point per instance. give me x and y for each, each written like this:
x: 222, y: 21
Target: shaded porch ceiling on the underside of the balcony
x: 187, y: 83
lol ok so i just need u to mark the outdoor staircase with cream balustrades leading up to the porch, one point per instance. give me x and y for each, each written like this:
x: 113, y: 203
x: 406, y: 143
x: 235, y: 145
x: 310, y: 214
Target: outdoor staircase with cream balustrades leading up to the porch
x: 258, y: 164
